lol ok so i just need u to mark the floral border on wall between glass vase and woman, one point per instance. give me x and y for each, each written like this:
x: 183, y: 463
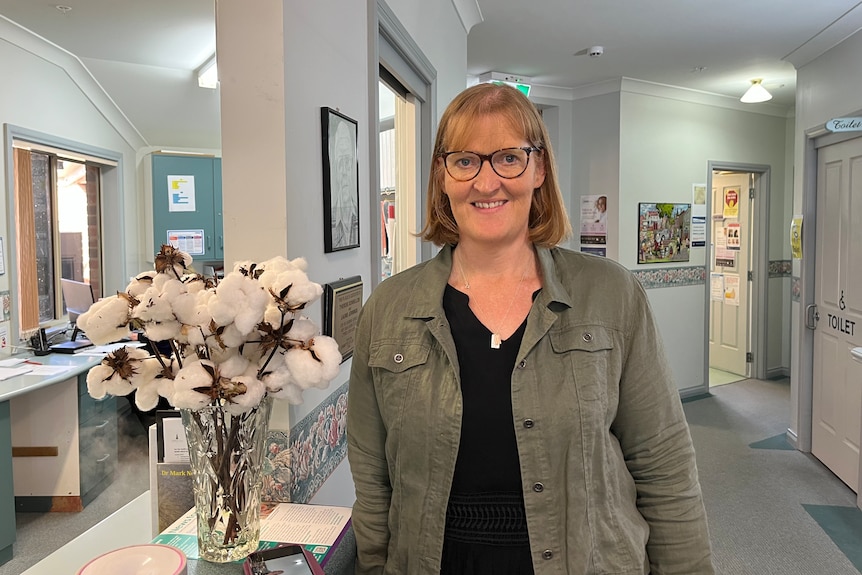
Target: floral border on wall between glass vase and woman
x: 298, y: 463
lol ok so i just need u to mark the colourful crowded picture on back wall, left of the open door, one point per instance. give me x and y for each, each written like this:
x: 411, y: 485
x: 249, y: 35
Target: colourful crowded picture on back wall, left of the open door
x: 664, y: 233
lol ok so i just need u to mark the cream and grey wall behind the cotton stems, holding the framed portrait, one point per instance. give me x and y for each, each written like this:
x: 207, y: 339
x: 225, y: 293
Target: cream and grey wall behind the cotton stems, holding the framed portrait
x: 273, y: 86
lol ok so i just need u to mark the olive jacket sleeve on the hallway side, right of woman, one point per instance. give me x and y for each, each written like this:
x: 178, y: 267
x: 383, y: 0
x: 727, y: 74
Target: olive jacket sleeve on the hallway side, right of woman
x: 654, y: 436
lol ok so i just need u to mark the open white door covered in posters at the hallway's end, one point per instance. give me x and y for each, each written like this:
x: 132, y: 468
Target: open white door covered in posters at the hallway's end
x: 731, y: 243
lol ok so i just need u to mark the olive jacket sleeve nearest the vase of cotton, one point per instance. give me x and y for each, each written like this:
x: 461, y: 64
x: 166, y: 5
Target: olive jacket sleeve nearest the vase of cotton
x: 366, y: 440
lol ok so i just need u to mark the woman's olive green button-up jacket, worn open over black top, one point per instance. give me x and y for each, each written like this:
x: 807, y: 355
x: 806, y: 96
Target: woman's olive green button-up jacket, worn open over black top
x: 607, y: 465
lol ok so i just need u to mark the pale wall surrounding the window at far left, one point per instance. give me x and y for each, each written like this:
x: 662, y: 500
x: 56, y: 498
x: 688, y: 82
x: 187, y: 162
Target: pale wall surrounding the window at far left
x: 53, y: 94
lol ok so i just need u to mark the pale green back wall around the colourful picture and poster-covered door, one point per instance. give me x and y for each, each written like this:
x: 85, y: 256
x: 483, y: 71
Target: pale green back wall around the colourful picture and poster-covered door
x: 638, y: 142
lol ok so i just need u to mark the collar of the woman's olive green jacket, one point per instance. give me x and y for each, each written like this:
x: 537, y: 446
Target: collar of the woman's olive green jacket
x: 426, y: 300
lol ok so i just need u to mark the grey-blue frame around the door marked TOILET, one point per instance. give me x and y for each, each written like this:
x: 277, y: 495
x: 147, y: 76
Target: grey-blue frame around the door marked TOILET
x: 815, y: 138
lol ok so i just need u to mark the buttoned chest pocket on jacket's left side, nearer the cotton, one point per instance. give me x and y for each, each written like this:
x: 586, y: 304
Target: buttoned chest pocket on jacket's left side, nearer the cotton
x: 397, y: 369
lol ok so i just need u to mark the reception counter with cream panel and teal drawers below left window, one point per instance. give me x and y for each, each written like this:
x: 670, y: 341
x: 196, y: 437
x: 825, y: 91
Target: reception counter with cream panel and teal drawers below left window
x: 50, y: 425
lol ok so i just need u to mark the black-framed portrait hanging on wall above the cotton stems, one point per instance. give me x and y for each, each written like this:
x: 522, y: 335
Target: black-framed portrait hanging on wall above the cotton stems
x: 340, y: 181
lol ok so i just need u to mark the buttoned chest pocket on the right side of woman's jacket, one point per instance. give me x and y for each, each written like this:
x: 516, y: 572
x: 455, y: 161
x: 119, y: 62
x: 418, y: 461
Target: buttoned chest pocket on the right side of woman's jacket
x: 586, y: 353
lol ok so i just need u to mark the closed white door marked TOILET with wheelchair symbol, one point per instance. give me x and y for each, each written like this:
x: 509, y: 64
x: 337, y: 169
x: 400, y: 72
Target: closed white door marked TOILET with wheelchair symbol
x: 837, y: 384
